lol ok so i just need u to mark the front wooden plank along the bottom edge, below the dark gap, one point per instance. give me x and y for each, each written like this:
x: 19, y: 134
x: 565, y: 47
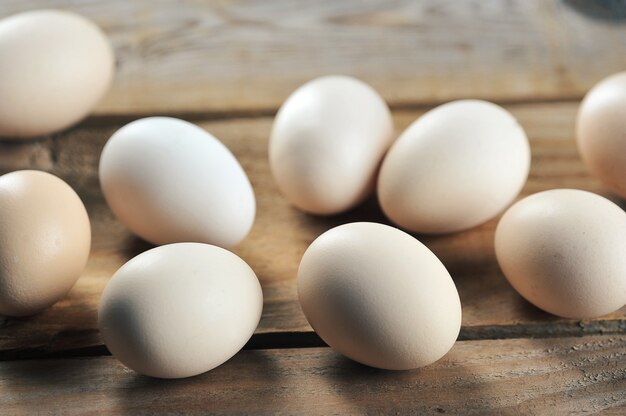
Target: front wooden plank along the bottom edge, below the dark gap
x: 521, y: 376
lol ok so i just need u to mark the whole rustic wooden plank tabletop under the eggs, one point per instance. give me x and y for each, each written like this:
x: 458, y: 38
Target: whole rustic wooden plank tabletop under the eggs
x: 228, y: 66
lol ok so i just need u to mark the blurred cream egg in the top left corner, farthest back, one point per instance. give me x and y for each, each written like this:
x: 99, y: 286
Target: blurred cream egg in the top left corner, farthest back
x: 55, y: 67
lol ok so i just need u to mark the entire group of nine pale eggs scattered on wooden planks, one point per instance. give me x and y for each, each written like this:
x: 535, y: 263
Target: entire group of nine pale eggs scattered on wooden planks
x: 371, y: 291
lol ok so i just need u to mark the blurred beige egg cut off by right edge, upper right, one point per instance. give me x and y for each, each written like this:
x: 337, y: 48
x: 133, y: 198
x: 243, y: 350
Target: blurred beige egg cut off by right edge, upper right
x: 601, y: 132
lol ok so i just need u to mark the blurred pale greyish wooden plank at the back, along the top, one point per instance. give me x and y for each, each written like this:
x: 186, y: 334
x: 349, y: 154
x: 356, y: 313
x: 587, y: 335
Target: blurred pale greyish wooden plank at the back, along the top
x: 246, y: 56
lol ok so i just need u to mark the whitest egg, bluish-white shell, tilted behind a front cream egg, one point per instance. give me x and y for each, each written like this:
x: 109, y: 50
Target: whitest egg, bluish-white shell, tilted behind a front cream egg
x: 170, y: 181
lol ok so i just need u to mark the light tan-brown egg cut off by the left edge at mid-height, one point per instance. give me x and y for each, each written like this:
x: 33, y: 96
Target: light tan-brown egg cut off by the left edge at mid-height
x: 45, y: 239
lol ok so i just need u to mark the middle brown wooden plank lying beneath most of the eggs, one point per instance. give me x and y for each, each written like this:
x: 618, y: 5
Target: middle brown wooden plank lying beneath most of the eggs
x: 491, y: 309
